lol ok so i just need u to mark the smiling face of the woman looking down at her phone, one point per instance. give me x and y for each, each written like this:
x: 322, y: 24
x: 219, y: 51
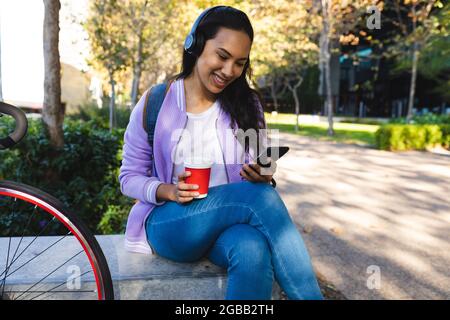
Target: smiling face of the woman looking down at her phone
x: 223, y: 59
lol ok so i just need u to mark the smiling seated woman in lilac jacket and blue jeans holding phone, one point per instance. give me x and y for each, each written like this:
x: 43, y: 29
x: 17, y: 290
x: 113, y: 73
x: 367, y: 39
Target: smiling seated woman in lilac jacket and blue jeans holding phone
x: 242, y: 223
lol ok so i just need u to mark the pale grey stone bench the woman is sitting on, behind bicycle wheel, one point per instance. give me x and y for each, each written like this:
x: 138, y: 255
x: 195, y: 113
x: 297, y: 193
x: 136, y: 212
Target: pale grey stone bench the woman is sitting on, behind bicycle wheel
x: 148, y: 277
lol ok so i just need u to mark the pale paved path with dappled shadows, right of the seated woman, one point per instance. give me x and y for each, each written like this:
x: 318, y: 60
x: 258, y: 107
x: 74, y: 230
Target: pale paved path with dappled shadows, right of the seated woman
x: 359, y: 207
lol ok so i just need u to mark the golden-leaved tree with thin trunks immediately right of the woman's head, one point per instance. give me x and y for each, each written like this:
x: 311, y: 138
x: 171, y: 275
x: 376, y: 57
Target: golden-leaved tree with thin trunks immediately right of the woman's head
x: 284, y: 45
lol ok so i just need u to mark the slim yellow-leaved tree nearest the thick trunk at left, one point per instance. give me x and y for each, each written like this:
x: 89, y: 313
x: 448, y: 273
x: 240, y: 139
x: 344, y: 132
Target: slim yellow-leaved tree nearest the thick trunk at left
x: 108, y: 39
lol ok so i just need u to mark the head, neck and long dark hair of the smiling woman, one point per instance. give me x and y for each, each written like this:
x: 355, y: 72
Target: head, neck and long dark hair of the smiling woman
x: 219, y: 60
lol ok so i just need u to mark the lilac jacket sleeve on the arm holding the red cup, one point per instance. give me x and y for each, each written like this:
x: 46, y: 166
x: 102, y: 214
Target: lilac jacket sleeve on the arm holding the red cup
x: 135, y: 177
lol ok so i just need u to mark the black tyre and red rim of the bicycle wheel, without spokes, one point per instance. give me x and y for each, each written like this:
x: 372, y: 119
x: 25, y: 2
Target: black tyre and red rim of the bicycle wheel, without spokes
x: 71, y: 221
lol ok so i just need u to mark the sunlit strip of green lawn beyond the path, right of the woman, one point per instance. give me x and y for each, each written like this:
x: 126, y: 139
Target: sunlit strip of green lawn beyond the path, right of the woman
x: 362, y: 134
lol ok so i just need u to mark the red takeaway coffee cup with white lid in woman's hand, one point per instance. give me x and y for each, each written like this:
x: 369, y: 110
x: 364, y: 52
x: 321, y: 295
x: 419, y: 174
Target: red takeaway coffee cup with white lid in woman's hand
x: 200, y: 173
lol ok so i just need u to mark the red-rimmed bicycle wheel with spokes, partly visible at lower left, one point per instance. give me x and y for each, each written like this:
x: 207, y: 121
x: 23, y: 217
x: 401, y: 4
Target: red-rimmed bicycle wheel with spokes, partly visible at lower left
x: 46, y: 252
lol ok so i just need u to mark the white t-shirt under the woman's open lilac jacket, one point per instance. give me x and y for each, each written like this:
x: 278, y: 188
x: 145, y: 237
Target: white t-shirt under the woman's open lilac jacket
x: 199, y: 140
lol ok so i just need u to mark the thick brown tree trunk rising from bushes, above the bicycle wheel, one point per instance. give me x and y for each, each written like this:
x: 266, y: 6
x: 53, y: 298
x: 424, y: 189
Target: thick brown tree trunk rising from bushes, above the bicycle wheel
x: 53, y: 112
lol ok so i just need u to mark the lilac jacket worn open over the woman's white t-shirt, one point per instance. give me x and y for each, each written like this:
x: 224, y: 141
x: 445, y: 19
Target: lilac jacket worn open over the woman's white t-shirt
x: 136, y: 177
